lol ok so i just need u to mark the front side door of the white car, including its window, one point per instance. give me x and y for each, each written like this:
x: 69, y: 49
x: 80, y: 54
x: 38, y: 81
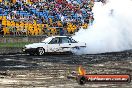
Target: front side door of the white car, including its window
x: 54, y: 45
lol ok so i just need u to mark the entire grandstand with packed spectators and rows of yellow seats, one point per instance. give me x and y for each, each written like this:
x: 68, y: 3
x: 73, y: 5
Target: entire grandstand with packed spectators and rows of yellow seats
x: 44, y: 17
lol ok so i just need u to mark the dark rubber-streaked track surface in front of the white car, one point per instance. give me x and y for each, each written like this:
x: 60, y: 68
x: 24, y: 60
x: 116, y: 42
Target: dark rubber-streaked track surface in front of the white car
x: 51, y: 71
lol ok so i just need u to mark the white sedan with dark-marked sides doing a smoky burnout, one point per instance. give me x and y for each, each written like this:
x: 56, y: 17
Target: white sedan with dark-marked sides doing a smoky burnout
x: 53, y: 44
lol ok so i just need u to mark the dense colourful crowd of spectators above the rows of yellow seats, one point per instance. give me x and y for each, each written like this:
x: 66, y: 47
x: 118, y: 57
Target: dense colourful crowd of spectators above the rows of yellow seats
x: 54, y: 13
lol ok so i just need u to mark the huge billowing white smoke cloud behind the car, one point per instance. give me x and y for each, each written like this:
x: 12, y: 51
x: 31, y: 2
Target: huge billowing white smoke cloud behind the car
x: 111, y: 30
